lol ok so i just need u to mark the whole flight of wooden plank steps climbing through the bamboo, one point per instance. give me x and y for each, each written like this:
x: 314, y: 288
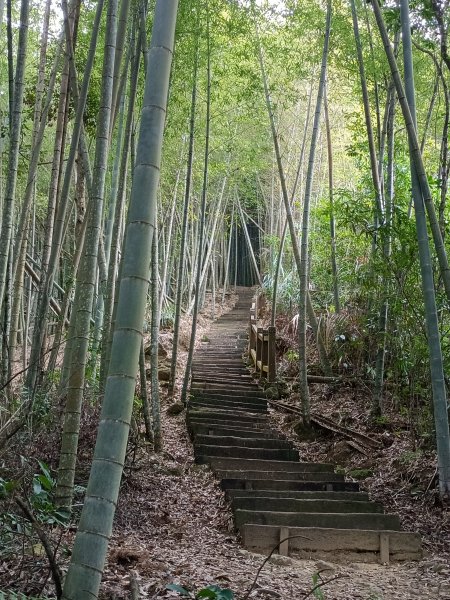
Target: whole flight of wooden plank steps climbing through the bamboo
x: 273, y: 494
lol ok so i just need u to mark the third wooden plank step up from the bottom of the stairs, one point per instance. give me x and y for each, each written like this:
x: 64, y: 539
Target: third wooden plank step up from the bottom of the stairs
x: 312, y: 505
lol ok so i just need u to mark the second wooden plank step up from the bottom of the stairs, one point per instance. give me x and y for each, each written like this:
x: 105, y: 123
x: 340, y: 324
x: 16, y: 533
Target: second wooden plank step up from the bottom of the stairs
x: 374, y: 521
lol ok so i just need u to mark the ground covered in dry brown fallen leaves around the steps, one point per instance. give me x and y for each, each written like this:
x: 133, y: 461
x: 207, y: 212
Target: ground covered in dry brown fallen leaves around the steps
x: 173, y: 524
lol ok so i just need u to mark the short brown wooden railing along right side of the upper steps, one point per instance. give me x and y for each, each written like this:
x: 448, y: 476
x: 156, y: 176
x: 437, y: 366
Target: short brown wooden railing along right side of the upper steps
x: 261, y: 346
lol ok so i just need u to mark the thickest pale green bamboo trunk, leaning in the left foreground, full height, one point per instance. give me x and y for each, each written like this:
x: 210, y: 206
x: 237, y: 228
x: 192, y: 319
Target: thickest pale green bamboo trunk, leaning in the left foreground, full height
x: 94, y: 530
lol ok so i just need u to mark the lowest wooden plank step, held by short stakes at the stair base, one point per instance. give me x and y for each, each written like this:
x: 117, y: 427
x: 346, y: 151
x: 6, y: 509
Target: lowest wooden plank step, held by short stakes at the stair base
x: 360, y: 545
